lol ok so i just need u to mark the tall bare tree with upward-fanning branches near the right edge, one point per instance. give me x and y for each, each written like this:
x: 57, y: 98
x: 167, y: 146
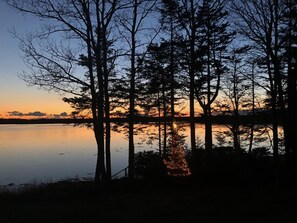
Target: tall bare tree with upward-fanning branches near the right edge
x: 259, y: 22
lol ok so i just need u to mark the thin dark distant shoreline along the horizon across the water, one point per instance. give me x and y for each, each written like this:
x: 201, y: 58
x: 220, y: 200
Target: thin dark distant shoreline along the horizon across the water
x: 242, y: 120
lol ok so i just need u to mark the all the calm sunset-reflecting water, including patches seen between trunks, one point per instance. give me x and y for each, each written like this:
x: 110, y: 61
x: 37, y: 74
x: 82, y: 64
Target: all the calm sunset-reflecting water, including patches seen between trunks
x: 48, y: 153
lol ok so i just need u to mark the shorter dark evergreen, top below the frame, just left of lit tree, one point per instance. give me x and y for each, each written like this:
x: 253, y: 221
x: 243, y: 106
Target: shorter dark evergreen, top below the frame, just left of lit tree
x: 156, y: 73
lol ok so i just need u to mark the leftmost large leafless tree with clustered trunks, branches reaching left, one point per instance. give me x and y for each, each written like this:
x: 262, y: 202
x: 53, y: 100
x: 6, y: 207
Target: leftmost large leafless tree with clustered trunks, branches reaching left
x: 83, y: 27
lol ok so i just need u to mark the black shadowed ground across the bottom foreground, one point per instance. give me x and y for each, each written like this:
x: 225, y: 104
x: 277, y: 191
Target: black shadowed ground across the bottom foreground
x: 153, y: 201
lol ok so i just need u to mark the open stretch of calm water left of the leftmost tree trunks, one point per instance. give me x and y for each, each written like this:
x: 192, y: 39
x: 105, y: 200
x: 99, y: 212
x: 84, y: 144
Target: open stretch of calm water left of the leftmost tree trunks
x: 44, y: 153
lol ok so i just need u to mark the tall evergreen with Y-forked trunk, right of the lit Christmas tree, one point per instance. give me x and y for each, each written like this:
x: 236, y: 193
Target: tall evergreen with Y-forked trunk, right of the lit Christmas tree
x: 214, y: 38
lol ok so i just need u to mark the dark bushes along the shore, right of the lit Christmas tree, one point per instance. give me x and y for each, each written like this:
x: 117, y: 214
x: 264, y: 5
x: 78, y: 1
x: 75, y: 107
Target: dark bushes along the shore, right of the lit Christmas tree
x: 227, y: 166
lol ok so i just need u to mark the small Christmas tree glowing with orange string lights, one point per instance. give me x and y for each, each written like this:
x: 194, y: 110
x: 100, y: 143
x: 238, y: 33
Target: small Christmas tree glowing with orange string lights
x: 175, y: 162
